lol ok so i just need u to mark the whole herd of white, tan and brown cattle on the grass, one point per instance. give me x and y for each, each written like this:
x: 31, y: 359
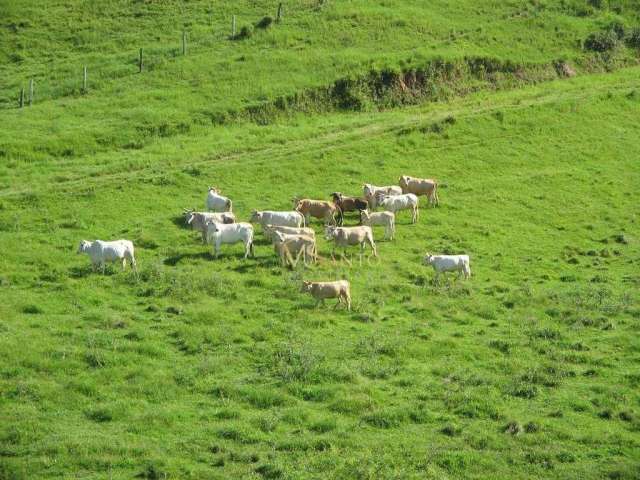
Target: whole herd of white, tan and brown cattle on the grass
x: 293, y: 239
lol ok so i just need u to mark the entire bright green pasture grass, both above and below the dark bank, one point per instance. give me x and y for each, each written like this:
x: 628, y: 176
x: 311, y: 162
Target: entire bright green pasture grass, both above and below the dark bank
x: 221, y: 369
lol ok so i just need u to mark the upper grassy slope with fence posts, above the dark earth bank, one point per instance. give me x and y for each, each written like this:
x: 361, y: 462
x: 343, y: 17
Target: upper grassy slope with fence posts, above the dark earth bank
x: 311, y: 48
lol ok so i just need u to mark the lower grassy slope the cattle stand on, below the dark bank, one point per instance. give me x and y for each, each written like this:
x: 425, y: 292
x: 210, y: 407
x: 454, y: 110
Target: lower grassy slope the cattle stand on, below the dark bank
x: 209, y: 368
